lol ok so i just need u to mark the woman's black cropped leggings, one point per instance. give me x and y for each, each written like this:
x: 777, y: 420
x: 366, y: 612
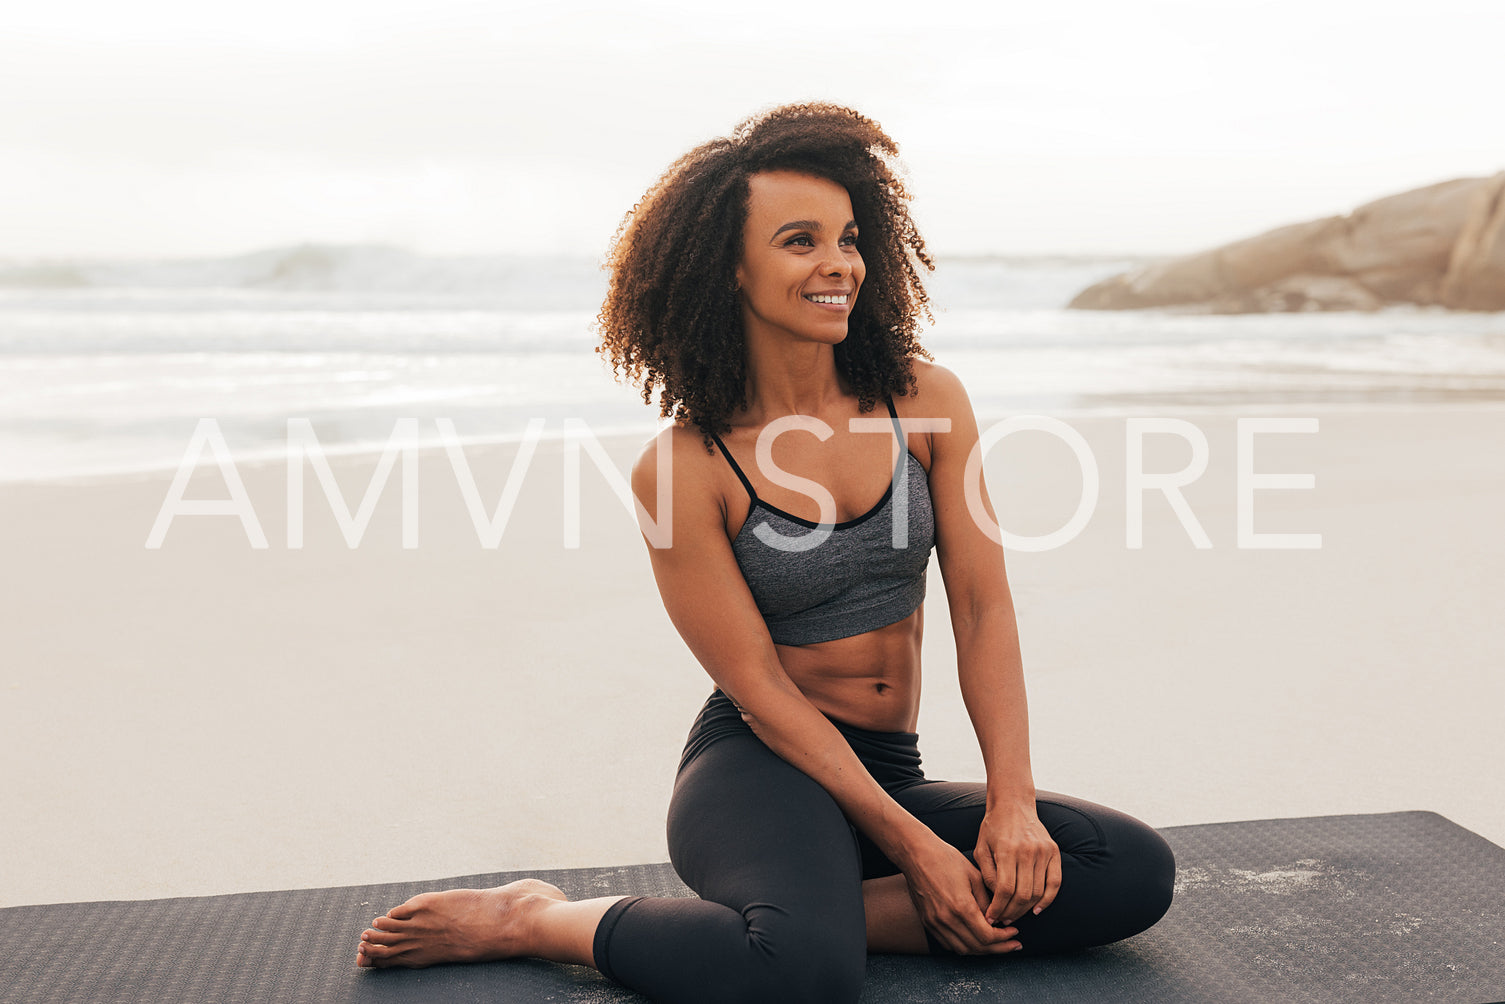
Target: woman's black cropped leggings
x: 780, y: 872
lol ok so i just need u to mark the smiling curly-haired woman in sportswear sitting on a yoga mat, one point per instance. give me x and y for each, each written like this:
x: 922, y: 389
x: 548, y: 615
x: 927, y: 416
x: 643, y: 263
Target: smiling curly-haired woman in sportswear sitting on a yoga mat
x: 768, y: 290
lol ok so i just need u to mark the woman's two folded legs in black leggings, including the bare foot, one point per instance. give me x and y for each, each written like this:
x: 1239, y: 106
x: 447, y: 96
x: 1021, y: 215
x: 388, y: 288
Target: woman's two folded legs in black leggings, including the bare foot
x: 783, y: 905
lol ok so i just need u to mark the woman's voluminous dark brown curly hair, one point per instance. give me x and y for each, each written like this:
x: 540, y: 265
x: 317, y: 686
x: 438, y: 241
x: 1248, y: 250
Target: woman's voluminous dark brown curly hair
x: 673, y: 321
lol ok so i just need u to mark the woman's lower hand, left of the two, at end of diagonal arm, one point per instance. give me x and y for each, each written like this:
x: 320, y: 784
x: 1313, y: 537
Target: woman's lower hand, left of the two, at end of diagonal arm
x: 950, y: 896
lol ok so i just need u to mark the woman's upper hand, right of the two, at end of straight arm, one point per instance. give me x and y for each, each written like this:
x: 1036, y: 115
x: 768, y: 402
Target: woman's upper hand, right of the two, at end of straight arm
x: 1018, y: 860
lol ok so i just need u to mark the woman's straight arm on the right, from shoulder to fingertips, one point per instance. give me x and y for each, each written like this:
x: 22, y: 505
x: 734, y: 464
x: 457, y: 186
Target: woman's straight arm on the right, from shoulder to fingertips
x: 1018, y: 859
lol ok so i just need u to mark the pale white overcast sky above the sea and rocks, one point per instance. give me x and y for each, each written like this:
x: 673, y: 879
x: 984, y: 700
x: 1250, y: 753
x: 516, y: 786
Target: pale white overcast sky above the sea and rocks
x: 172, y: 129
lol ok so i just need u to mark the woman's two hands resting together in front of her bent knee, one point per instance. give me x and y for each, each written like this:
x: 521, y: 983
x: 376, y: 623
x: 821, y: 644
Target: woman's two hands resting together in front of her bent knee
x: 973, y: 910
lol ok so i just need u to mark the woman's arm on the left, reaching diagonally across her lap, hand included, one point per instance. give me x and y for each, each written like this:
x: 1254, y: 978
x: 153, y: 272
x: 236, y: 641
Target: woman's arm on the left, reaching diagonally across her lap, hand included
x: 713, y: 609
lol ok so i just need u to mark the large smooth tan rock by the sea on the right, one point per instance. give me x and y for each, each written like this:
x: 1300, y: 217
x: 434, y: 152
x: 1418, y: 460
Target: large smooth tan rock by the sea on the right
x: 1437, y: 246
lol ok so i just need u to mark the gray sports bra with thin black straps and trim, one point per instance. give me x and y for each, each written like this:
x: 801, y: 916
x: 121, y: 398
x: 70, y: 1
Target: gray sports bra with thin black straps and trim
x: 822, y: 582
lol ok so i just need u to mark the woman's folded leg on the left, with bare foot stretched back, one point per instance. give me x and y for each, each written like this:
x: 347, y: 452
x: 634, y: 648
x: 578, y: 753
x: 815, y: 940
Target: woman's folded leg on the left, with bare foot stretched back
x: 783, y: 911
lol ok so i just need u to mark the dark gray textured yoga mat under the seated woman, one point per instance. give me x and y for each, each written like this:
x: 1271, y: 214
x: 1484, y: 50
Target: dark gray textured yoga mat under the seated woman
x: 1397, y: 907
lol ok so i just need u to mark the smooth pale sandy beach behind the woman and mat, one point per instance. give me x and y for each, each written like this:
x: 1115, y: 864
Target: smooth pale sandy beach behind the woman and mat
x: 210, y: 717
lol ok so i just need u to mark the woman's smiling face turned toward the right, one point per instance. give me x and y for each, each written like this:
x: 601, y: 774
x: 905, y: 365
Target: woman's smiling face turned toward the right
x: 800, y: 270
